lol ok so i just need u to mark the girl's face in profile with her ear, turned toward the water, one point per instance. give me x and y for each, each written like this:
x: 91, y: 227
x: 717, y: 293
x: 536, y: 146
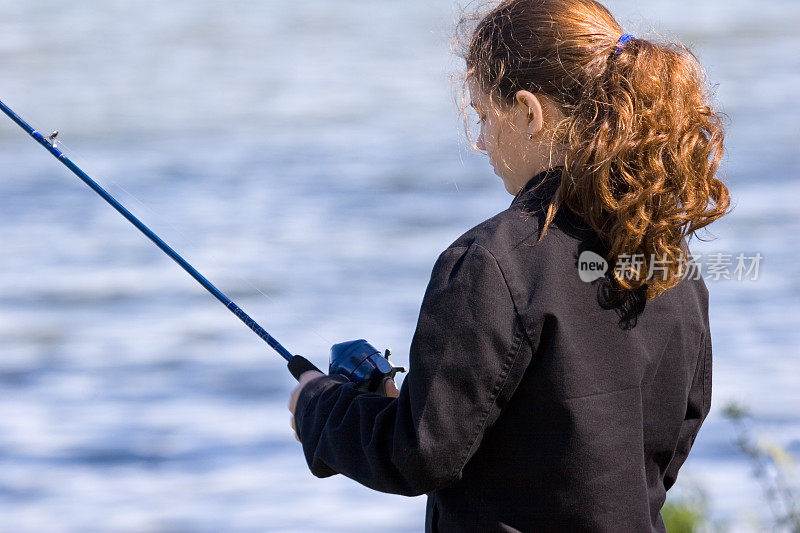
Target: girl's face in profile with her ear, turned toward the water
x: 505, y: 136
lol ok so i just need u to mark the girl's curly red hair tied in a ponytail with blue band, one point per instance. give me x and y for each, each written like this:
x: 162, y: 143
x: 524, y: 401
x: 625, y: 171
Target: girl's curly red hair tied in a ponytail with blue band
x: 643, y: 142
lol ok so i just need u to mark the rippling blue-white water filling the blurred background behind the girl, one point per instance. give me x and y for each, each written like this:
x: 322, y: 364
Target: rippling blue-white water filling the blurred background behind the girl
x: 306, y: 158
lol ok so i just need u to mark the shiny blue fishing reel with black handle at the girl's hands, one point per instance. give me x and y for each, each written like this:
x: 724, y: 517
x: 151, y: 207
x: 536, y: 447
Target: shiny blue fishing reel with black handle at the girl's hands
x: 358, y: 361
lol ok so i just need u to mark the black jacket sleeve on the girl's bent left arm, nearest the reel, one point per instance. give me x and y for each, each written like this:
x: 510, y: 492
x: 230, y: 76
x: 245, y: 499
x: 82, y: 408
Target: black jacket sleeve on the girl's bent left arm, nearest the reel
x: 466, y: 360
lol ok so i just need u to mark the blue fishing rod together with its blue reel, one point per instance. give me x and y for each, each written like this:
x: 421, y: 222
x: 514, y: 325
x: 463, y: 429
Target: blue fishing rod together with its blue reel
x: 356, y: 360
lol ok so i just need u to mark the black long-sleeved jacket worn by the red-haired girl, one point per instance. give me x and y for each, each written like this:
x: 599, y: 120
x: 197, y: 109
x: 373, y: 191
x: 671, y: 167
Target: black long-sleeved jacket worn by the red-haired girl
x: 535, y: 401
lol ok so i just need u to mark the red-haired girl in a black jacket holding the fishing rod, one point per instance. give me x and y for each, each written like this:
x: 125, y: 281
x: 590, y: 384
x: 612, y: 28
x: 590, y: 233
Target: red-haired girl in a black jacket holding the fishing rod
x: 561, y: 364
